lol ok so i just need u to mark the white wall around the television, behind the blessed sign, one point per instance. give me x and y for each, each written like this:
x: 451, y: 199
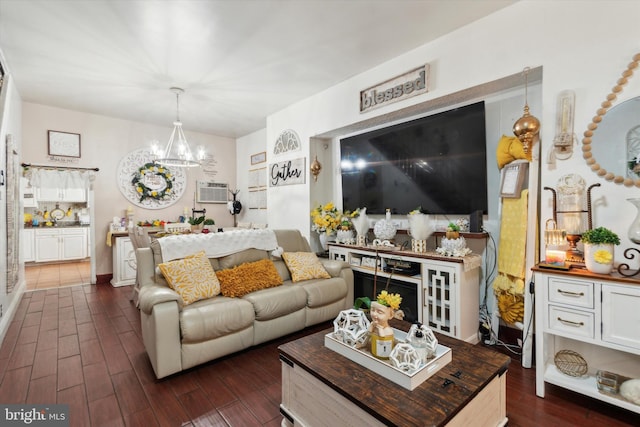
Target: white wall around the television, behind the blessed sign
x: 574, y: 41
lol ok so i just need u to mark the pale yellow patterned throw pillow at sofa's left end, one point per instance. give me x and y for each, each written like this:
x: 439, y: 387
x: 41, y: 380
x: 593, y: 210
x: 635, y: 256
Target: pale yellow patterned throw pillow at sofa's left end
x: 192, y: 277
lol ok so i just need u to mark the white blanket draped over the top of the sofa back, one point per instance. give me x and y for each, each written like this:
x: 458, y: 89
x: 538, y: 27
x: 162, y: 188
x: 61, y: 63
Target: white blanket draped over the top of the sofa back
x: 216, y: 244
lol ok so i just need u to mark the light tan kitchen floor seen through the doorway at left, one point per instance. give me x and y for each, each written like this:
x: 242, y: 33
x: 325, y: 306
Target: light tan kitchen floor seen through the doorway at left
x: 56, y: 275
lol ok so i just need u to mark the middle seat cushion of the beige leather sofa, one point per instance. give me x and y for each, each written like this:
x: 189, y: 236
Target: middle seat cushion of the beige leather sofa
x: 277, y: 302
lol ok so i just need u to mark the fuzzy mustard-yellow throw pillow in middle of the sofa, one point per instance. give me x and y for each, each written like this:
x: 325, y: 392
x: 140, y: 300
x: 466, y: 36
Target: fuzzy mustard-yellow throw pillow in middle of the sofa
x: 248, y: 277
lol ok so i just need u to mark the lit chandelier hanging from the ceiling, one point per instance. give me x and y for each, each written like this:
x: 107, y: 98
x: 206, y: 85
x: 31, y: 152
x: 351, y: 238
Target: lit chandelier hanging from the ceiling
x: 177, y: 152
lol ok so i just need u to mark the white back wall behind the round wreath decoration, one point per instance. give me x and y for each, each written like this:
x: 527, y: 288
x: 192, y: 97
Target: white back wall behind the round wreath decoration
x: 104, y: 142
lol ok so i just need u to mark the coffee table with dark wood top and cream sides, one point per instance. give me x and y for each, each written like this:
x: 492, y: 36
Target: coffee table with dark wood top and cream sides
x: 323, y: 388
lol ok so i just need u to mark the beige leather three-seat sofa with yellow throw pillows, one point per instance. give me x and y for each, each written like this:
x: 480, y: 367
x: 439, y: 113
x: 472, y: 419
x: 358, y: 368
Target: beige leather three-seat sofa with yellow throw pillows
x: 177, y: 337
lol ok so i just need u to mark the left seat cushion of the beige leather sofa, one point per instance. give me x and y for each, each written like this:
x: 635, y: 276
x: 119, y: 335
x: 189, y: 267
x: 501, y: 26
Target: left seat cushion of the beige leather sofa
x: 215, y: 317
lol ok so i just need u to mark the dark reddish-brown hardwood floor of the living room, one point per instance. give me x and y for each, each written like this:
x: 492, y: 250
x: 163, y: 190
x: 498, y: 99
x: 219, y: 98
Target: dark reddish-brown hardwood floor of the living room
x: 81, y: 346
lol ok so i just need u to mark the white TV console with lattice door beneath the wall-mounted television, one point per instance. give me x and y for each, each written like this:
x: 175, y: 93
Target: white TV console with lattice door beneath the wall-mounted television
x: 447, y: 291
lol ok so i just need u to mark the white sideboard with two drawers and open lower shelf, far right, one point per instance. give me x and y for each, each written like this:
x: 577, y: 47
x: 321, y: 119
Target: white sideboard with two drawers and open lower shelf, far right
x: 594, y: 315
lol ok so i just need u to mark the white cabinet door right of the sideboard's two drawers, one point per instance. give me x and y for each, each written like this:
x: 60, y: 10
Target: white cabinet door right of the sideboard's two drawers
x: 621, y: 315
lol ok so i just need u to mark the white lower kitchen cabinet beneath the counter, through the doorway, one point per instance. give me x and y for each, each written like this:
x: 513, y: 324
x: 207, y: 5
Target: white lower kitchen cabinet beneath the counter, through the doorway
x: 60, y: 244
